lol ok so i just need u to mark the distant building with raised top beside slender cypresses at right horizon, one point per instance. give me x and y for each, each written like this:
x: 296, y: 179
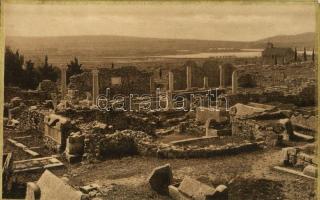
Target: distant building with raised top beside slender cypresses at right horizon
x: 276, y: 55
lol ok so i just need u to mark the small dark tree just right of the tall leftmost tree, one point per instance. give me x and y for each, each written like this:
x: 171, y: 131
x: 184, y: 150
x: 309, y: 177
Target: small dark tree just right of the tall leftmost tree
x: 30, y: 77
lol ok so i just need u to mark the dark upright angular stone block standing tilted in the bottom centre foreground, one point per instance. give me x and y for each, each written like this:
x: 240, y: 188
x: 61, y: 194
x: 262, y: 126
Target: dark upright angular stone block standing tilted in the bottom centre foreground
x: 160, y: 178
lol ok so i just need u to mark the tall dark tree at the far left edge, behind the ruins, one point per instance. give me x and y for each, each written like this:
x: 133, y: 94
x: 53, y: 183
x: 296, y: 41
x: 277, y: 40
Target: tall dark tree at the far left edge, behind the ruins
x: 13, y: 67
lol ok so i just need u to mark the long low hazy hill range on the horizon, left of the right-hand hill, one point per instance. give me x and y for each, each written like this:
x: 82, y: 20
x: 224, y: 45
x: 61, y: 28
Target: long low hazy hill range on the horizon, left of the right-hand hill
x: 117, y: 45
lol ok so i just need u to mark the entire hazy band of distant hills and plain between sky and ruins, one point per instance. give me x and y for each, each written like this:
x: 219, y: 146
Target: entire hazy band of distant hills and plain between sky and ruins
x: 96, y: 50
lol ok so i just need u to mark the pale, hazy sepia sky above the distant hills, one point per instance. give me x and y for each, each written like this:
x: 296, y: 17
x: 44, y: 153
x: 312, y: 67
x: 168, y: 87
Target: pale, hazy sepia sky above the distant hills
x: 204, y: 20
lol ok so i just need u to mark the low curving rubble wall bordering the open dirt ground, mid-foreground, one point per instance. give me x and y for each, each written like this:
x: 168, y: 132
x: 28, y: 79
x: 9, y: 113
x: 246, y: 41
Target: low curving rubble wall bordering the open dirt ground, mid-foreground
x: 129, y: 142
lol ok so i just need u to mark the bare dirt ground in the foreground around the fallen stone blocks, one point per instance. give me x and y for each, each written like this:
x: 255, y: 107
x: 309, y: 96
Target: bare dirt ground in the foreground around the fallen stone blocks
x: 255, y: 178
